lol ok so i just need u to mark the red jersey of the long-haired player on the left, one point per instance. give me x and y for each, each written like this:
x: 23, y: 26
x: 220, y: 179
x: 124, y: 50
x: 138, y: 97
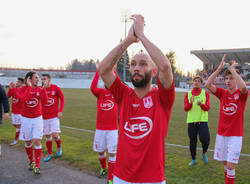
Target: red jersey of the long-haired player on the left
x: 32, y: 97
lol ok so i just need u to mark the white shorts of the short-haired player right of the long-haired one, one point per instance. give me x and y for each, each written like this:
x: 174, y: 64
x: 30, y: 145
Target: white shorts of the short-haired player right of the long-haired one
x: 51, y: 126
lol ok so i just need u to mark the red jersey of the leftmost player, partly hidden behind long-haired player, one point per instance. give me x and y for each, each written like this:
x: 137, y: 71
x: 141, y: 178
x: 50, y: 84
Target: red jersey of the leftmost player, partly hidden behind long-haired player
x: 17, y: 105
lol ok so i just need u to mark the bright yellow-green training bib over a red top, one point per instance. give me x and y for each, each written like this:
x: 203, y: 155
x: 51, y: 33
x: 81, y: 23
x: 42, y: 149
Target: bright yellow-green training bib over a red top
x: 196, y: 114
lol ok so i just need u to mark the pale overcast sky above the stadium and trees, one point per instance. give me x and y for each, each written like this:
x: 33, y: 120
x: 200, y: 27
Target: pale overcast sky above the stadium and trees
x: 43, y: 33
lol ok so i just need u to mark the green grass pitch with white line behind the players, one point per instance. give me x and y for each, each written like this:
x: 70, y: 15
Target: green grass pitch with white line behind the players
x: 80, y: 112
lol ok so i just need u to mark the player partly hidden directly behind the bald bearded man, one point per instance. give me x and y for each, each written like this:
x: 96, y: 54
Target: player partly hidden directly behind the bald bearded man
x: 106, y: 134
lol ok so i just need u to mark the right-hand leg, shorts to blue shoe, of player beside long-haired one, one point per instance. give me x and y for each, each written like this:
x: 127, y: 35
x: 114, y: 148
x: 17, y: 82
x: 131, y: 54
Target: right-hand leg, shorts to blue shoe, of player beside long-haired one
x: 55, y: 129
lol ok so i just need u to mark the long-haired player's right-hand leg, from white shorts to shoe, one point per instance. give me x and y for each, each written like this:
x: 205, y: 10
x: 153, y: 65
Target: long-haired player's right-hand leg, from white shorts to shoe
x: 37, y: 134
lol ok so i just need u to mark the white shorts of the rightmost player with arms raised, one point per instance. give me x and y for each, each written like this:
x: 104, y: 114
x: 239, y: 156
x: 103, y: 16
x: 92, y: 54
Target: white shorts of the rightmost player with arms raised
x: 228, y: 148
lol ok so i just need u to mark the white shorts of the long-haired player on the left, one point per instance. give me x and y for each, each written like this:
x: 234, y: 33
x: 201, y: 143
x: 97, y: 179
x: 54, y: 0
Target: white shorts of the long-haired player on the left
x: 32, y: 128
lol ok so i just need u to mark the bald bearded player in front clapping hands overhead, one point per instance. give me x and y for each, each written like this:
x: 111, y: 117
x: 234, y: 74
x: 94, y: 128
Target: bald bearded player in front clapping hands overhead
x: 144, y: 111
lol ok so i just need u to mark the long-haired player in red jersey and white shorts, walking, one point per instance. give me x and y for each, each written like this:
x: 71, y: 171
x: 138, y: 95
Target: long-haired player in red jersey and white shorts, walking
x: 32, y: 124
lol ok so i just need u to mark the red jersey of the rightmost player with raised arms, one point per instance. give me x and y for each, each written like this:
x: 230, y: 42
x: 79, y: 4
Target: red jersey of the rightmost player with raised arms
x: 232, y: 107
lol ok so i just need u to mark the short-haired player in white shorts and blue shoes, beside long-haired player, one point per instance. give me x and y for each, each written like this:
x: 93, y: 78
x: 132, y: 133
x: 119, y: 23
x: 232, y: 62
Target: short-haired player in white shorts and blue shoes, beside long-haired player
x: 51, y: 114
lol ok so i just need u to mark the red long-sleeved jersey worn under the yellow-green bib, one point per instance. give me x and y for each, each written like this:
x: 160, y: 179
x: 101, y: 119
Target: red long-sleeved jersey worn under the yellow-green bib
x: 196, y: 92
